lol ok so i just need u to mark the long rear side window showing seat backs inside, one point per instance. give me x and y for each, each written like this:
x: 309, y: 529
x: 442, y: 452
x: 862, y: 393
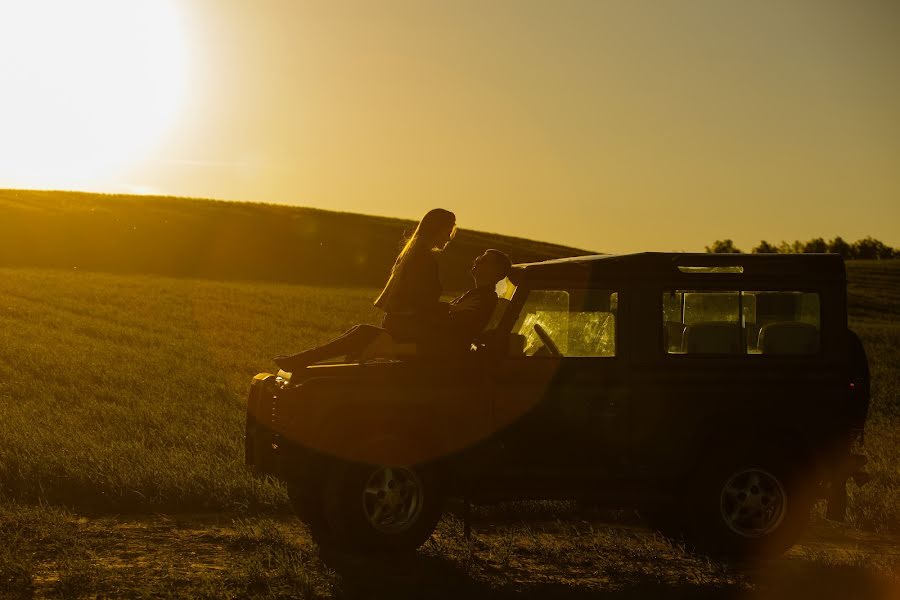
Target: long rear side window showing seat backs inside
x: 745, y: 322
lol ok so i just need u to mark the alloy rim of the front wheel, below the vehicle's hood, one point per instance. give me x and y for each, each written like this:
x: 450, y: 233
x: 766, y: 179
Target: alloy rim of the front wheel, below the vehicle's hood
x: 392, y: 499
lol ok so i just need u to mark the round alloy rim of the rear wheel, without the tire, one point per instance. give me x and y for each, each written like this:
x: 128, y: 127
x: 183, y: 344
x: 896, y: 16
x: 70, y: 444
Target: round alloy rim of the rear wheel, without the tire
x: 753, y: 503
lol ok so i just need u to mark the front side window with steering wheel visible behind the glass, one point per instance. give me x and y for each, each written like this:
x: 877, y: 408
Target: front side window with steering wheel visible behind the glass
x: 580, y: 322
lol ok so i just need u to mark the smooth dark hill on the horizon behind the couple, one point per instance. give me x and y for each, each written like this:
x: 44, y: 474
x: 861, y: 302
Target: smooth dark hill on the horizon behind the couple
x: 209, y: 239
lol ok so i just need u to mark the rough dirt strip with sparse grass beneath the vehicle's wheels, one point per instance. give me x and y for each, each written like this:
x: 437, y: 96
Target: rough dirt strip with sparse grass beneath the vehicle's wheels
x: 218, y: 556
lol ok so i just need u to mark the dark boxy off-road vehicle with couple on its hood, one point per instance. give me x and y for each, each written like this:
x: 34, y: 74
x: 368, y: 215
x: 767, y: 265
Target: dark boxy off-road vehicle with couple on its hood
x: 720, y: 395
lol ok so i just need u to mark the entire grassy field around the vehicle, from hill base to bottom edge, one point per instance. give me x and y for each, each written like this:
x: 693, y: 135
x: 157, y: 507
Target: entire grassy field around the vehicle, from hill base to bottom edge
x: 124, y: 395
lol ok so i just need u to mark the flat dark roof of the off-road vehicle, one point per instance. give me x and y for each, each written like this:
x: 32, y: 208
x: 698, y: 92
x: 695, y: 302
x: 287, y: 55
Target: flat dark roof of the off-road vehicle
x: 683, y: 266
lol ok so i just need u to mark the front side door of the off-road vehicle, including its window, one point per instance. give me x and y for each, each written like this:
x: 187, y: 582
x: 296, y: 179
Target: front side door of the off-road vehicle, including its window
x: 559, y: 411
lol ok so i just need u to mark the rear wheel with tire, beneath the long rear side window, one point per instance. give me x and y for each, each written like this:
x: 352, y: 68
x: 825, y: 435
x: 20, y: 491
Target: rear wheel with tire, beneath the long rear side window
x: 750, y: 505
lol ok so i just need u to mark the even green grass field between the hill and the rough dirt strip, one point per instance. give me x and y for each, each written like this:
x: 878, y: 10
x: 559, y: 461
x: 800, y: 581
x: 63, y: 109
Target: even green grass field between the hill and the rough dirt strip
x: 126, y: 393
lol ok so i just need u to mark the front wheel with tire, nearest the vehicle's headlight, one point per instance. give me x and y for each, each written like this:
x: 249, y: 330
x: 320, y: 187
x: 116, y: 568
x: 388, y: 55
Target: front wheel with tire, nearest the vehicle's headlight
x: 377, y: 508
